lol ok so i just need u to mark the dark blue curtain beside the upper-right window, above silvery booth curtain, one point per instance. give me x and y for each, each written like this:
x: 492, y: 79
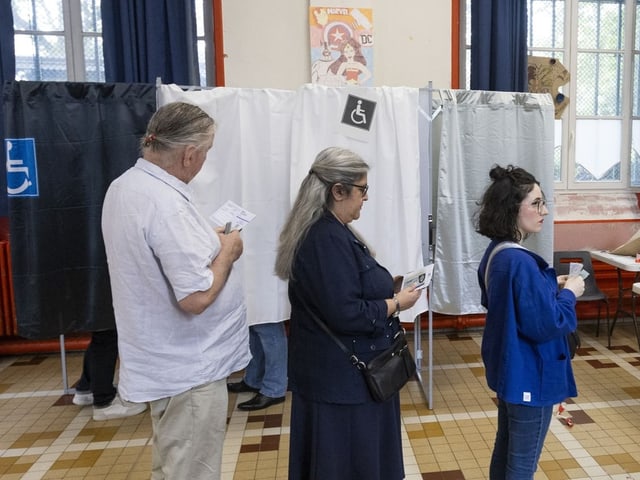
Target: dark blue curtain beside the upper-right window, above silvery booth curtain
x: 499, y: 45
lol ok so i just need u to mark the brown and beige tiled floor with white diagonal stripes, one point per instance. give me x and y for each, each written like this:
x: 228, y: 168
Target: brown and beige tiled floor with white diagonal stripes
x: 44, y: 436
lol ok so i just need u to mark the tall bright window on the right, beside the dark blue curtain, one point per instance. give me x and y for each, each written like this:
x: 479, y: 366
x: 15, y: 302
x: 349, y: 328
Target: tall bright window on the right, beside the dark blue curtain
x: 597, y: 139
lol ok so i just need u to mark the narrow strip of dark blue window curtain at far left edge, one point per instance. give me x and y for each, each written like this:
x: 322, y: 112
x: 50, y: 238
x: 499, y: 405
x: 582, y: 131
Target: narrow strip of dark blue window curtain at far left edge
x: 7, y: 74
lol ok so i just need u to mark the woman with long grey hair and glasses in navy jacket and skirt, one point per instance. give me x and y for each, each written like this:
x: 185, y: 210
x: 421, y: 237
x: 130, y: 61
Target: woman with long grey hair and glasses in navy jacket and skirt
x: 337, y: 430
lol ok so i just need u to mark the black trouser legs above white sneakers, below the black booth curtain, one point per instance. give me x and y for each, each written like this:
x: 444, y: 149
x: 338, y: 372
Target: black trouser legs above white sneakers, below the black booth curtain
x: 101, y: 357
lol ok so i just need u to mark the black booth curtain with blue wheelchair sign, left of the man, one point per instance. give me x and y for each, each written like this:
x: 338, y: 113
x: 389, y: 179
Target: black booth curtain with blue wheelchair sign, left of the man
x: 84, y: 135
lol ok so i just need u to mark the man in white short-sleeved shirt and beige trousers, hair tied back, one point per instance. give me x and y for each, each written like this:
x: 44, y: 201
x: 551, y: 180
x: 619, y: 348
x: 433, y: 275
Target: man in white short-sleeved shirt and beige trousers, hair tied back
x: 178, y: 300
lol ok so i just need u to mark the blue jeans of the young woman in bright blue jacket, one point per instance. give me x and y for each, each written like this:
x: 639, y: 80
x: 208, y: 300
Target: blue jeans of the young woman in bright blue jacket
x: 519, y: 440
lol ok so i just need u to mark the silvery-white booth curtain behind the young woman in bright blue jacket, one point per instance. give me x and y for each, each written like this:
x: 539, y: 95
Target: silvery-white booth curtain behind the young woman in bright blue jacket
x: 477, y: 130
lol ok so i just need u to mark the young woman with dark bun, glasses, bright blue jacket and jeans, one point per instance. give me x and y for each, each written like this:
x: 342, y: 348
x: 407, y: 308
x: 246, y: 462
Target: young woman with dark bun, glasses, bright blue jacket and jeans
x: 524, y: 349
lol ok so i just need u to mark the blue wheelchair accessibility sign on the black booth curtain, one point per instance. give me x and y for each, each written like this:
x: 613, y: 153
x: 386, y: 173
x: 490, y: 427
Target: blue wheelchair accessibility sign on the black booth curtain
x: 22, y: 170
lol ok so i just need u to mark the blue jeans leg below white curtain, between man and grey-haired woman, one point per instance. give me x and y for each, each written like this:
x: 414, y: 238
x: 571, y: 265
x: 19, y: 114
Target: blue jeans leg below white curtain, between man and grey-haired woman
x: 267, y: 369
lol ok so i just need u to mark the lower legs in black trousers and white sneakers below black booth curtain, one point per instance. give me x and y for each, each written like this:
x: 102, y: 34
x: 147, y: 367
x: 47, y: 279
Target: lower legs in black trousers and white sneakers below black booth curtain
x: 95, y: 386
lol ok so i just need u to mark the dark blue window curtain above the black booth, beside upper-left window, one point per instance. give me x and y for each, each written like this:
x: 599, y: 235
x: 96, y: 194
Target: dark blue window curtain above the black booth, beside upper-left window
x: 147, y: 39
